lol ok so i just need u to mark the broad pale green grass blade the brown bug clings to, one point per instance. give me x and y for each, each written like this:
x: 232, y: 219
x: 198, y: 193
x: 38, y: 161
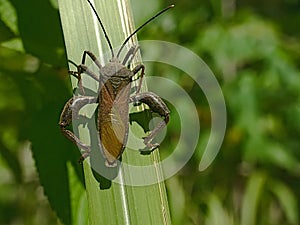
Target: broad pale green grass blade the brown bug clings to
x: 116, y: 203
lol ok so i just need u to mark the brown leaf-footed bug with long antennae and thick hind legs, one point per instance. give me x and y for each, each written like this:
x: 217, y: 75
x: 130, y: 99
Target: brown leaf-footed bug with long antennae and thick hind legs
x: 113, y: 101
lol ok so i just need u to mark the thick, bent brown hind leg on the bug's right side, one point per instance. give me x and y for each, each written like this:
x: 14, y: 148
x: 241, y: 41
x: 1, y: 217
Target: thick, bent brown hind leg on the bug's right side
x: 156, y: 105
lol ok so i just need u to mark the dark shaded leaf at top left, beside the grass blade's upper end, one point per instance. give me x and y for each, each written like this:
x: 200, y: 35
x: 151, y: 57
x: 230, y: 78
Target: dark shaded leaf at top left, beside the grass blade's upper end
x: 40, y: 31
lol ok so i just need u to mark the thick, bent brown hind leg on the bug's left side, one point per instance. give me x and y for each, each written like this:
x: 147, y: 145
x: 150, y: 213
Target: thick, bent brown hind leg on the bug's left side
x: 71, y: 111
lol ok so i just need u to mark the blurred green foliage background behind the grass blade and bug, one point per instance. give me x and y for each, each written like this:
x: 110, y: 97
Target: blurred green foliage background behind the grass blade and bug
x: 253, y: 47
